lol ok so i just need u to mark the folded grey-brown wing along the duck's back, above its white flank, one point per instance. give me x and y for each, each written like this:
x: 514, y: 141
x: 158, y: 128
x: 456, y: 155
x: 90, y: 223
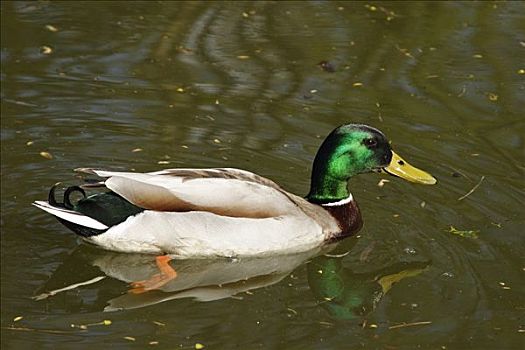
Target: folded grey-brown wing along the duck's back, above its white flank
x: 223, y: 191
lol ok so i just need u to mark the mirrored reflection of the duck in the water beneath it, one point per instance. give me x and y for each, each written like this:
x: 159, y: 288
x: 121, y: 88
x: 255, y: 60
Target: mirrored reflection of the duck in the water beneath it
x: 343, y: 293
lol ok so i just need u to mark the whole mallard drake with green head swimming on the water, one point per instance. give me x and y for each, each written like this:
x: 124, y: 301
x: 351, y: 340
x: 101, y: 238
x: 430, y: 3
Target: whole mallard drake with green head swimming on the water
x: 230, y: 212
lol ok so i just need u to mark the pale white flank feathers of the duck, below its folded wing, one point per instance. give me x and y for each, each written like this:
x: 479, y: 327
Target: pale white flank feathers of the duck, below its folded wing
x: 204, y: 234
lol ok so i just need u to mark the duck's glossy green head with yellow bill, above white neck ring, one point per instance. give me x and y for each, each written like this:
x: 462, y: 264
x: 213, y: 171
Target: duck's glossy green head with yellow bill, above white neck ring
x: 353, y: 149
